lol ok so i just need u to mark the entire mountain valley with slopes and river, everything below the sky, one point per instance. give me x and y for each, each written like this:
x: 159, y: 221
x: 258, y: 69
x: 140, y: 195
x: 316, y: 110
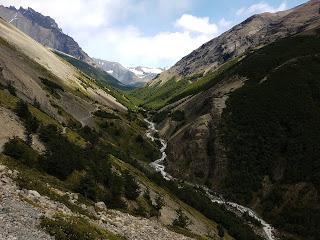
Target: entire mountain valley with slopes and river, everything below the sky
x: 224, y: 145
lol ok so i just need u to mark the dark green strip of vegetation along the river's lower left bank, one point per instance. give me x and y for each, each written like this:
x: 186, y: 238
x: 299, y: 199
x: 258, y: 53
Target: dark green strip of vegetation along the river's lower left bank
x: 194, y: 198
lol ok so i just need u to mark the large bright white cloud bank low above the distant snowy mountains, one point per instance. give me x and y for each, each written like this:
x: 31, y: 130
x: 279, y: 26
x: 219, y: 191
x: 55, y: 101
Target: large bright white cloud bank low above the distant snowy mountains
x: 130, y: 46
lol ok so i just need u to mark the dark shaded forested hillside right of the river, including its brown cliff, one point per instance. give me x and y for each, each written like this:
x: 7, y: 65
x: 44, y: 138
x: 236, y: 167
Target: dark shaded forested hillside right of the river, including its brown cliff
x: 254, y: 135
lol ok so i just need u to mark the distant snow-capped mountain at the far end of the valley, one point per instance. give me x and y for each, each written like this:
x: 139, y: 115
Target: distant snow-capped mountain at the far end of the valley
x: 137, y: 76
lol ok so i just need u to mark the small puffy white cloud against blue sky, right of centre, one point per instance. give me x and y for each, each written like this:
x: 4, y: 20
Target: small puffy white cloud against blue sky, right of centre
x: 196, y: 24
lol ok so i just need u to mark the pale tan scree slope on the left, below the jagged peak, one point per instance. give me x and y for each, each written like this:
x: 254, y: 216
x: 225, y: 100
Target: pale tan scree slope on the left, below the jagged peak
x: 51, y: 81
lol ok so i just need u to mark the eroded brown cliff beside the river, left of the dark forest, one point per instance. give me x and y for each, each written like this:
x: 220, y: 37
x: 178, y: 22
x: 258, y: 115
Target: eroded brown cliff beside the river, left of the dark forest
x: 195, y: 150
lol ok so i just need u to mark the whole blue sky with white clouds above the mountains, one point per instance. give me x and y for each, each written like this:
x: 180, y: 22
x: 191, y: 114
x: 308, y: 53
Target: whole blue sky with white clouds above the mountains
x: 153, y: 33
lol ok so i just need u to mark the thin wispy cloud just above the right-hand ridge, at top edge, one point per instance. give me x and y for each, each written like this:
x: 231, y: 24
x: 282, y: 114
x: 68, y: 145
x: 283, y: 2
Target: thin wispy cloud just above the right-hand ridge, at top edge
x: 260, y: 8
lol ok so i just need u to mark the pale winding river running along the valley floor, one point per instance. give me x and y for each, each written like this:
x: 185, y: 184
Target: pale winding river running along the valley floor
x: 159, y: 166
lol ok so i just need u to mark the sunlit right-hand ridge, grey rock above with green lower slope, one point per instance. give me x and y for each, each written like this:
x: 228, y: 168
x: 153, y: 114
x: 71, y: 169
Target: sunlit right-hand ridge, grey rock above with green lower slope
x: 254, y: 32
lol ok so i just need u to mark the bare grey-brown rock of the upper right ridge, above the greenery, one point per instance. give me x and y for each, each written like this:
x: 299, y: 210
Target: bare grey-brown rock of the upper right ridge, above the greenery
x: 256, y: 31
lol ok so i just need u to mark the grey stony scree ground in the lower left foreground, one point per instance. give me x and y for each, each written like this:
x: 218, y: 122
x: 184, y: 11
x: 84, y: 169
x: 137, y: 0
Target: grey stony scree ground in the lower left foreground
x: 21, y: 211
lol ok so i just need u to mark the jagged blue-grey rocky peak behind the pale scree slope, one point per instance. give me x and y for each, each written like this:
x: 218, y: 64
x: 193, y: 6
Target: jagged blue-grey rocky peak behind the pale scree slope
x: 44, y: 30
